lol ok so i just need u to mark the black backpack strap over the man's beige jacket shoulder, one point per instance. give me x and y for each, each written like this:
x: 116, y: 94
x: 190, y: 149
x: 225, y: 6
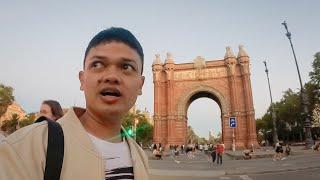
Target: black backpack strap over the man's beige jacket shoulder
x: 55, y: 150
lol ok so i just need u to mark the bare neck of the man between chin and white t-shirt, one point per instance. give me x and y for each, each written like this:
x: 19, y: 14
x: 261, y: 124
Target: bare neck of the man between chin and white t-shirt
x: 108, y: 130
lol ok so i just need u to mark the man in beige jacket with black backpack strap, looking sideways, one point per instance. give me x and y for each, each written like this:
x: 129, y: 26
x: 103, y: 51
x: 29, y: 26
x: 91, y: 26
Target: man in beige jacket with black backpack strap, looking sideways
x: 90, y: 142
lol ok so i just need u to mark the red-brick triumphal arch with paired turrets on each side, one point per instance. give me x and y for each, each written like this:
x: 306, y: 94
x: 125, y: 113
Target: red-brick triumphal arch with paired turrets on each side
x: 225, y: 81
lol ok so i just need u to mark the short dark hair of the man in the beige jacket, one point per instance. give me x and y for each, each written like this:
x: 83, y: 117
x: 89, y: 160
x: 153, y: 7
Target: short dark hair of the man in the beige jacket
x: 119, y: 35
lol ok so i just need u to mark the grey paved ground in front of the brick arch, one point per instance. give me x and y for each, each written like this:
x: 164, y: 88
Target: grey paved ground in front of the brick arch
x: 200, y: 167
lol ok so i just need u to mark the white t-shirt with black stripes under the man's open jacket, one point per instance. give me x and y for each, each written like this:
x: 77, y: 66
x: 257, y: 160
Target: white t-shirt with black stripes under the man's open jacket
x: 117, y: 156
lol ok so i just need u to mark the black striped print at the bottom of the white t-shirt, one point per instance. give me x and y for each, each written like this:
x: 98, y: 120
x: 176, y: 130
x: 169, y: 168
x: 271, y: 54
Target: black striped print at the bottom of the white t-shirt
x: 123, y: 173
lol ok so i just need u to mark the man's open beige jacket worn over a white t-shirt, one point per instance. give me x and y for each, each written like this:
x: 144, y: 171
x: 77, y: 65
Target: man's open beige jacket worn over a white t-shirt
x: 23, y: 154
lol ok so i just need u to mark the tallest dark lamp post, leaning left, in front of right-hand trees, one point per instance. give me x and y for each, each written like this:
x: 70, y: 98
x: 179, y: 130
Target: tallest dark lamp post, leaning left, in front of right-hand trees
x: 303, y: 96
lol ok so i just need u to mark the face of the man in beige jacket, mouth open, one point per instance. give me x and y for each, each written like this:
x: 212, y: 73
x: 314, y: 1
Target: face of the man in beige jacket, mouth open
x: 111, y: 79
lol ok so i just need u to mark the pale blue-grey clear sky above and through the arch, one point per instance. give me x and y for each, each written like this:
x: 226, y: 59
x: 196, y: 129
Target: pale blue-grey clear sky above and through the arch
x: 42, y: 45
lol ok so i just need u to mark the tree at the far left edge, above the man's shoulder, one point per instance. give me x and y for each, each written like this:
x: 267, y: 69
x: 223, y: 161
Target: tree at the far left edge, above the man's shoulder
x: 6, y: 98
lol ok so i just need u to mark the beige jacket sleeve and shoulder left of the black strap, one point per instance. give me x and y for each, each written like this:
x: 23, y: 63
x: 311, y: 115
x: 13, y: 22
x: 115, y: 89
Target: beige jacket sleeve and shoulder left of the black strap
x: 23, y: 153
